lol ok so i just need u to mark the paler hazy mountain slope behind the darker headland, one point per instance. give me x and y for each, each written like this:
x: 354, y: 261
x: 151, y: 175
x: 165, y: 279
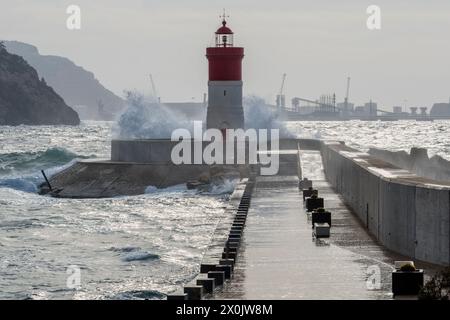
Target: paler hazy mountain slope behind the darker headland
x: 79, y: 88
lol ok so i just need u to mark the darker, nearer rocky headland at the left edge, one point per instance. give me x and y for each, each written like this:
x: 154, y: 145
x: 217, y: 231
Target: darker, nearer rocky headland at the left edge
x: 26, y: 99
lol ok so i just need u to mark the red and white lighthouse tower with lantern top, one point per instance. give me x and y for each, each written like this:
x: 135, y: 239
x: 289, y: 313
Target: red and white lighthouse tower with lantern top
x: 225, y: 82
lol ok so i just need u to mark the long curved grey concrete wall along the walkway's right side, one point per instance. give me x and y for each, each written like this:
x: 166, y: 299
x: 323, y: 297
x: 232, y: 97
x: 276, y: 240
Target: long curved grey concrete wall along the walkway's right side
x: 409, y: 216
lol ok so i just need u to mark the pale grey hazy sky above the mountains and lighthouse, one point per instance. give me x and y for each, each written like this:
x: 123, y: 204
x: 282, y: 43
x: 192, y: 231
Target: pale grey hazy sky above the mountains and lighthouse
x: 317, y: 43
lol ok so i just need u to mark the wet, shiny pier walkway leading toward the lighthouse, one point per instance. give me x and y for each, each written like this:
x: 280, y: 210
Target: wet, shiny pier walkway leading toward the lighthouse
x: 280, y: 259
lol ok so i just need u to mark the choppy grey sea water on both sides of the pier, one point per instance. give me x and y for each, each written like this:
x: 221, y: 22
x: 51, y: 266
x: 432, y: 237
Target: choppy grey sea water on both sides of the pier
x: 138, y: 247
